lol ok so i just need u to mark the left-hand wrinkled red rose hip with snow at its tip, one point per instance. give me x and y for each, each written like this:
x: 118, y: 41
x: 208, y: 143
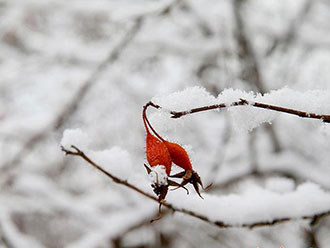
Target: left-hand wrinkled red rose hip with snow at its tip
x: 157, y: 153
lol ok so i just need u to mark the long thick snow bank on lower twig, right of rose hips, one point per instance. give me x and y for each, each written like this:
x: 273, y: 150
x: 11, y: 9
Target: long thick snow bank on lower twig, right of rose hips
x: 256, y: 204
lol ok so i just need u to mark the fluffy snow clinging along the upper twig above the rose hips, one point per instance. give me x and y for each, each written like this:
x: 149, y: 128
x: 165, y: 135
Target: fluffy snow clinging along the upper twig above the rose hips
x: 245, y: 118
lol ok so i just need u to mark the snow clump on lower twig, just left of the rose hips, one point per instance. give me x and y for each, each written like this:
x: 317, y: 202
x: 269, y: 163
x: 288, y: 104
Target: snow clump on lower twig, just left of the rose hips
x: 115, y: 160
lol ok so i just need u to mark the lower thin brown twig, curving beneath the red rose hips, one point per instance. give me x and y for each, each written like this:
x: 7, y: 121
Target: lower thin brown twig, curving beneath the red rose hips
x: 313, y: 218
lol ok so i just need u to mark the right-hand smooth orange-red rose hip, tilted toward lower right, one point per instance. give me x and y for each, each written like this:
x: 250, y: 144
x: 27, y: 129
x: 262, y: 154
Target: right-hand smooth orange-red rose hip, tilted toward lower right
x: 178, y: 155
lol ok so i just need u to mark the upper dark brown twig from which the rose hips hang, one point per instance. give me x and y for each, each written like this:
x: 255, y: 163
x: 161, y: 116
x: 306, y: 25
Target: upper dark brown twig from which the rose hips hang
x: 242, y: 102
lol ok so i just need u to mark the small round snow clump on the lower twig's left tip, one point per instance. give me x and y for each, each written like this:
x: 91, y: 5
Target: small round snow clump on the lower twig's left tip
x: 75, y: 137
